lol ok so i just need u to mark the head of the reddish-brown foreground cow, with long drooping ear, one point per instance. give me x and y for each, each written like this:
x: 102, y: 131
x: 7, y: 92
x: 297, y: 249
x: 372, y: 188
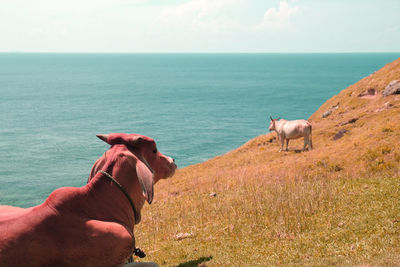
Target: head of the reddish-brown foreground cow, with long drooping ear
x: 150, y: 164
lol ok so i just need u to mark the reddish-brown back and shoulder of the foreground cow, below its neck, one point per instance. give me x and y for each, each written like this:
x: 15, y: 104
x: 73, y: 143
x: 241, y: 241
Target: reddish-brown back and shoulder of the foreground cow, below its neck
x: 44, y: 236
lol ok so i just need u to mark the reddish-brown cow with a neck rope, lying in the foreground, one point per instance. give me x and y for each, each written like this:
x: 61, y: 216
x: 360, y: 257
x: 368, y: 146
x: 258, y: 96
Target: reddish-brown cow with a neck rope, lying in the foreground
x: 91, y: 225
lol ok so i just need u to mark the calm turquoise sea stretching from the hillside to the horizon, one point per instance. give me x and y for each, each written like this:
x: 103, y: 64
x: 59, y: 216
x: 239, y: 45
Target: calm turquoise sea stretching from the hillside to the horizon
x: 196, y: 106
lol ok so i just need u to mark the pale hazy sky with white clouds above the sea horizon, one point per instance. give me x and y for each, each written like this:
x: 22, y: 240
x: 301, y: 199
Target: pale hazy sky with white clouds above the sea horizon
x: 199, y: 26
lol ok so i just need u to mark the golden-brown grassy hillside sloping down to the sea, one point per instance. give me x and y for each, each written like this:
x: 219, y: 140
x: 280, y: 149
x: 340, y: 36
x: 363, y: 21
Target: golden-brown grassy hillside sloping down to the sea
x: 338, y: 204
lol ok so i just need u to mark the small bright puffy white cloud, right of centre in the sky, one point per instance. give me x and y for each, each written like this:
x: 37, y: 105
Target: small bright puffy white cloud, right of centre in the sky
x: 275, y: 19
